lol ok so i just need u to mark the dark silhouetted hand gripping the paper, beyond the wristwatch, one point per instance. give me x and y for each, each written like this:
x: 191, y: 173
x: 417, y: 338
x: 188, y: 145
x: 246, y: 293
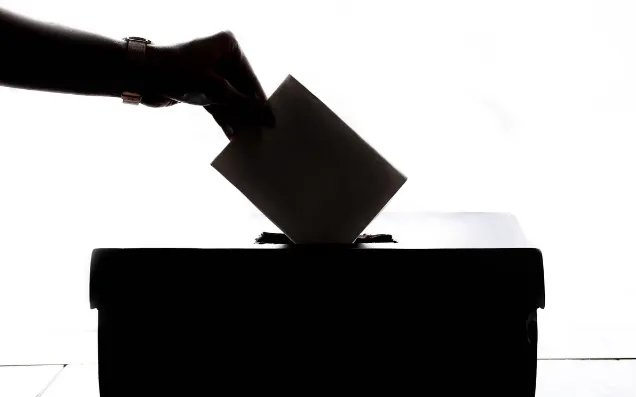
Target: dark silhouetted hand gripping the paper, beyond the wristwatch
x: 211, y: 72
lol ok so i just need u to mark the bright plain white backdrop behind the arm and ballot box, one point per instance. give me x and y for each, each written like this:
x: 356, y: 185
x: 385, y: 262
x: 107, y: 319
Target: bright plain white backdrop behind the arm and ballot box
x: 527, y: 107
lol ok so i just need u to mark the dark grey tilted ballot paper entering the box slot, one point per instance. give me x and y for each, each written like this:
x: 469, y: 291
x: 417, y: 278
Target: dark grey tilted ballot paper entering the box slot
x: 311, y: 175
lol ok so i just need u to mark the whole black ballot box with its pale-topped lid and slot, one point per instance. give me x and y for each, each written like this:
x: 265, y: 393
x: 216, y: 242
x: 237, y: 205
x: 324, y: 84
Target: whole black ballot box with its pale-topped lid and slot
x: 442, y: 303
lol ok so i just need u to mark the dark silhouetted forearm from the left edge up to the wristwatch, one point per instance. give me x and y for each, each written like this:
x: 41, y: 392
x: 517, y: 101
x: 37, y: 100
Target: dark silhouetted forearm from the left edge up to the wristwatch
x: 43, y: 56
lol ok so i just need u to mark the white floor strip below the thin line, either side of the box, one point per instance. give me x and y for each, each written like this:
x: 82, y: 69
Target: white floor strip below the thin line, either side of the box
x: 580, y: 378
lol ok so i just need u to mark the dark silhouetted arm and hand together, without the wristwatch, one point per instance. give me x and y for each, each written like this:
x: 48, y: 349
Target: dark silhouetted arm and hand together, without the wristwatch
x: 211, y: 72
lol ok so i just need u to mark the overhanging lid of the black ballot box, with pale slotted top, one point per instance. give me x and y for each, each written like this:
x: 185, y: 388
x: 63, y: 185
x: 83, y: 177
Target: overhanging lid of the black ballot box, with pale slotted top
x: 459, y: 250
